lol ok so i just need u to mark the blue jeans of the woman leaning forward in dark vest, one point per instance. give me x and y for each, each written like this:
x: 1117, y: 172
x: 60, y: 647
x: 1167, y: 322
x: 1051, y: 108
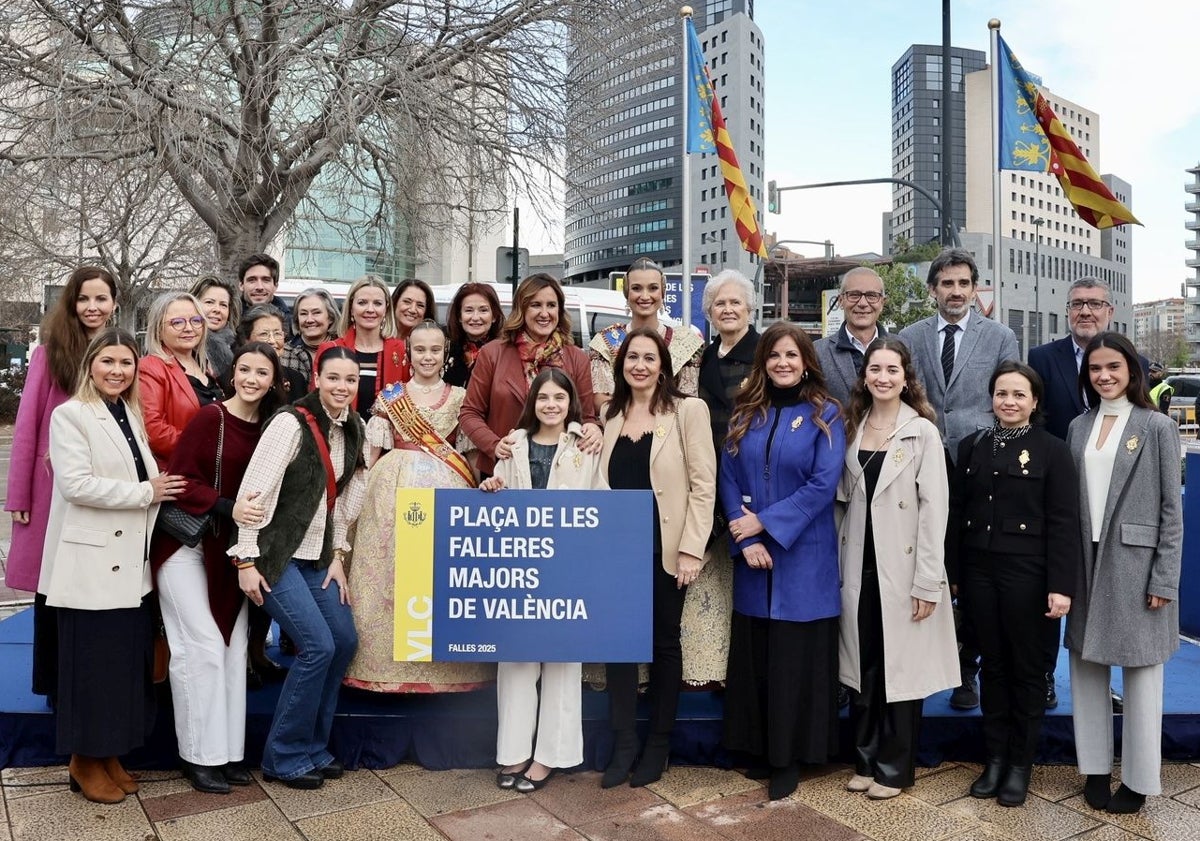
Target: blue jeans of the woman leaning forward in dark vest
x: 326, y: 641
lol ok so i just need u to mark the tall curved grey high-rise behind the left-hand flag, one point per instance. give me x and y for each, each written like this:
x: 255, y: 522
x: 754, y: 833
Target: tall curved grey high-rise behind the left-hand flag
x: 627, y: 140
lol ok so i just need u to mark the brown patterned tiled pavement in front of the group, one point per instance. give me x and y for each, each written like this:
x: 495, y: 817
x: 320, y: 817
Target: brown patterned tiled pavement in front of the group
x: 695, y: 804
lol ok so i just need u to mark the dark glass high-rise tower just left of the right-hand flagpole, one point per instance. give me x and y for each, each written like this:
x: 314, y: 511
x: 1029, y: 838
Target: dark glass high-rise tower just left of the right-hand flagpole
x: 920, y: 140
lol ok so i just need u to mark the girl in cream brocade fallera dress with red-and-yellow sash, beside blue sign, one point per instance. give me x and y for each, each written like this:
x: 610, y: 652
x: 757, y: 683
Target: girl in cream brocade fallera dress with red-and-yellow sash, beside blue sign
x: 412, y: 444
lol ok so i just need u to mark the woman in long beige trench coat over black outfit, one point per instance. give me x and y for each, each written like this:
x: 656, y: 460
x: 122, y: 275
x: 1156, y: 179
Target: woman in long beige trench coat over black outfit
x: 897, y: 638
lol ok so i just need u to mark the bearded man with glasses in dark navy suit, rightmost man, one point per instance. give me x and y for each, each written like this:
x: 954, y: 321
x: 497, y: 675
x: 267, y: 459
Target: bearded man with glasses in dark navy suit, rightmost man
x: 1089, y: 314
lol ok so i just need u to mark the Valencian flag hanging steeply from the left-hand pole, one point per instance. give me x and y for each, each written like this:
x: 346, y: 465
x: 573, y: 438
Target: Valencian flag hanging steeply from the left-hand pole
x: 707, y: 135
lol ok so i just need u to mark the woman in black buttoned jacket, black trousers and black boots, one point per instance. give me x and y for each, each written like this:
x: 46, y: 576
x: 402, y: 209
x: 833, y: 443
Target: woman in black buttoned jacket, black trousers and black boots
x: 1013, y: 546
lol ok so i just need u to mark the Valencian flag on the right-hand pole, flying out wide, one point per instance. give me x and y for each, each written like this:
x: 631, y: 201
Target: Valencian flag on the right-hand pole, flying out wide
x: 1033, y: 137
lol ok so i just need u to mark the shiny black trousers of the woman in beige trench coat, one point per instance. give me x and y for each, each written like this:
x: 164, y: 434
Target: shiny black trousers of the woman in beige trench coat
x: 886, y: 735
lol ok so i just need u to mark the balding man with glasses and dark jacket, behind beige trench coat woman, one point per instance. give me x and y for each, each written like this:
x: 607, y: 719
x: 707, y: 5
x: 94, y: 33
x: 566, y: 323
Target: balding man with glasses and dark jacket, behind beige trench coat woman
x: 842, y: 355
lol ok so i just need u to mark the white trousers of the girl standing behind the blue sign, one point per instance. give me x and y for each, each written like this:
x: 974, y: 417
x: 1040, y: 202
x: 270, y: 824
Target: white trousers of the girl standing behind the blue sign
x: 553, y: 731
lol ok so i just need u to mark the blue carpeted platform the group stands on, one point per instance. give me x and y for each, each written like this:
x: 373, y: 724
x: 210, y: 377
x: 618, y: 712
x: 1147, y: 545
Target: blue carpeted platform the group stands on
x: 459, y: 730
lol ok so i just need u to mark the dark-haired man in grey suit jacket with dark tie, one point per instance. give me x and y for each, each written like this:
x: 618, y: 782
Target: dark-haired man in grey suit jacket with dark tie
x: 956, y: 353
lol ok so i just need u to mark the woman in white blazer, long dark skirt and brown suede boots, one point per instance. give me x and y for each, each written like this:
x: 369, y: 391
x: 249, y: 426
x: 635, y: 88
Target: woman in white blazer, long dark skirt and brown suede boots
x: 95, y: 568
